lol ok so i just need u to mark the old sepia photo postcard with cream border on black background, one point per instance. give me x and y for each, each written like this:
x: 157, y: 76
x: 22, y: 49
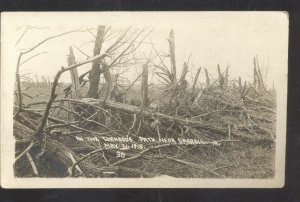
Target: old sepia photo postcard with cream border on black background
x: 143, y: 99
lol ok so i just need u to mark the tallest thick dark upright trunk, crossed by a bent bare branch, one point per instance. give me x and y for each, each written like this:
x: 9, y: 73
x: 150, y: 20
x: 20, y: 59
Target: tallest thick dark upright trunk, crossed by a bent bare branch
x: 94, y: 75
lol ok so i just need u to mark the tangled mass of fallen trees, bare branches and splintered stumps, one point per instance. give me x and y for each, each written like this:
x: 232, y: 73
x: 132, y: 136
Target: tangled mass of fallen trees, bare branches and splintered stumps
x: 107, y: 138
